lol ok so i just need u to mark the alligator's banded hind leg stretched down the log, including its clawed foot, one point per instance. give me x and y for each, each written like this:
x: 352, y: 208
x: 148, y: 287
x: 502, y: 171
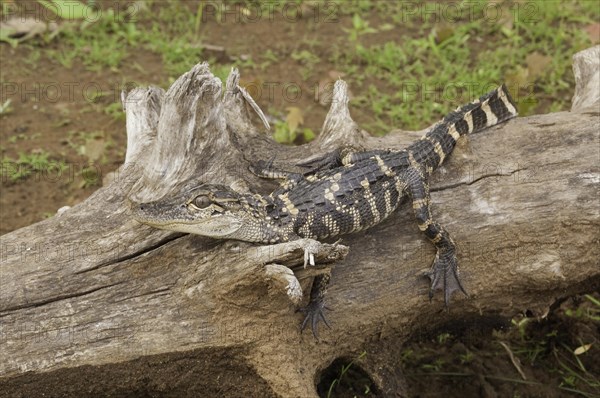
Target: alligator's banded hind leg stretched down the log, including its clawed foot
x: 444, y: 271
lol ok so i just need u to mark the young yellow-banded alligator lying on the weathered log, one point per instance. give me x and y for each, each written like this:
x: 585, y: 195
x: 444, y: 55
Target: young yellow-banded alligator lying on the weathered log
x: 344, y: 192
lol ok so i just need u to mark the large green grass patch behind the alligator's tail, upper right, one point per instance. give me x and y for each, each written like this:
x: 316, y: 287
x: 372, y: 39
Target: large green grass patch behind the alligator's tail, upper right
x: 413, y: 73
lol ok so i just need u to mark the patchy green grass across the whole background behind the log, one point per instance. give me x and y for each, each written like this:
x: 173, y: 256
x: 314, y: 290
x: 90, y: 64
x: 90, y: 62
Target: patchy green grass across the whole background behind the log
x: 407, y: 63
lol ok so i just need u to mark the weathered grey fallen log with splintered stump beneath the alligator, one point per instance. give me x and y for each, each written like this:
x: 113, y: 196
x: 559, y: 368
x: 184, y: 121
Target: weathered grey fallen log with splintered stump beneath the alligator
x: 92, y: 301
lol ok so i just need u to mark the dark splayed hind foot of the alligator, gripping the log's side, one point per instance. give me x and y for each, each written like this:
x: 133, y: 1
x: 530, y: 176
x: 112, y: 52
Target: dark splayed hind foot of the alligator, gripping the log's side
x: 444, y: 275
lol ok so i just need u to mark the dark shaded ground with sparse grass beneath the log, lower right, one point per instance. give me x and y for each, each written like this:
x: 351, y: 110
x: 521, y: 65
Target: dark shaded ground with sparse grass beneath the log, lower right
x: 554, y: 346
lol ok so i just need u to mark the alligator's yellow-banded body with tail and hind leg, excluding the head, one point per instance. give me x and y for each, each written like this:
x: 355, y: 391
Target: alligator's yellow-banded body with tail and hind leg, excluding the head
x: 352, y: 191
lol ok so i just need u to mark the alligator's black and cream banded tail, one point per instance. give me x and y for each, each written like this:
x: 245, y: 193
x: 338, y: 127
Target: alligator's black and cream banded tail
x: 490, y: 109
